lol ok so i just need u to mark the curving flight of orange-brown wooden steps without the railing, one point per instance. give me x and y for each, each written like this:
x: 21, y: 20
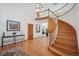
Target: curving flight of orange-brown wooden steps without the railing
x: 66, y: 41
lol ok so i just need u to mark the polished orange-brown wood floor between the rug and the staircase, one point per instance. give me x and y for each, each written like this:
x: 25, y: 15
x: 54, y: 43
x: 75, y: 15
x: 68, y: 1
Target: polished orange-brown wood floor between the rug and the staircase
x: 35, y: 47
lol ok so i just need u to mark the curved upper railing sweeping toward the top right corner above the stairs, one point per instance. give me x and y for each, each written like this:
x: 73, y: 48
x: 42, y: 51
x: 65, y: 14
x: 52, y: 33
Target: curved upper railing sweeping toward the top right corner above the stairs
x: 64, y: 9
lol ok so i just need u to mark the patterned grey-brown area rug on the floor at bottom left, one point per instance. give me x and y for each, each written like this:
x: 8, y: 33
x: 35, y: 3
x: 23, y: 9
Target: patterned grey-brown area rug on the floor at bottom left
x: 14, y: 52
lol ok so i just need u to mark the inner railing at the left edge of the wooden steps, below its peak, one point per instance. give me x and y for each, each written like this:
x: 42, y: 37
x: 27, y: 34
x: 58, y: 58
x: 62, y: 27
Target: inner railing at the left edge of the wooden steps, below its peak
x: 53, y: 35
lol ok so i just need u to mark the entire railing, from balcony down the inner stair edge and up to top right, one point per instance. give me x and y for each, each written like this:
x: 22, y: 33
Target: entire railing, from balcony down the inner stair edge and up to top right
x: 54, y: 17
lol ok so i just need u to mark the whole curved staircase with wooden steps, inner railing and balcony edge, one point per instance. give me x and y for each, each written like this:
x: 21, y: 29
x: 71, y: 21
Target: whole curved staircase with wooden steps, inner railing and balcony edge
x: 62, y: 36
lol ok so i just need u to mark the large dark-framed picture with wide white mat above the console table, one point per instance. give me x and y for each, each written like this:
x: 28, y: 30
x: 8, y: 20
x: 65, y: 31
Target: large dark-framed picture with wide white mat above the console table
x: 13, y: 25
